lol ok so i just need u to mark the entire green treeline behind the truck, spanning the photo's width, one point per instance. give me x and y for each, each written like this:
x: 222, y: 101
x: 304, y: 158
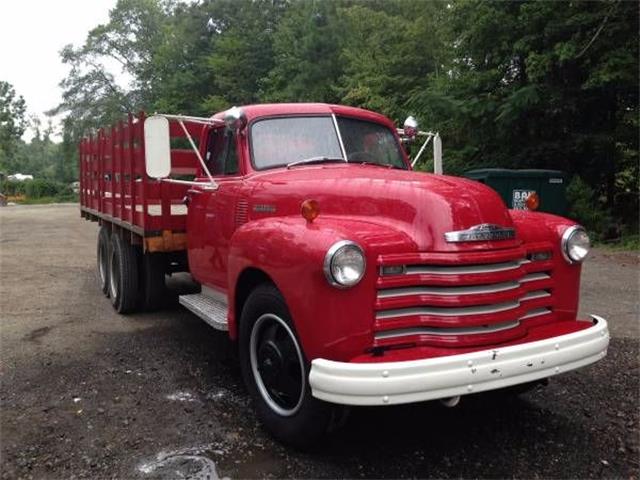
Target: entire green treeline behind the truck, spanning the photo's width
x: 507, y: 84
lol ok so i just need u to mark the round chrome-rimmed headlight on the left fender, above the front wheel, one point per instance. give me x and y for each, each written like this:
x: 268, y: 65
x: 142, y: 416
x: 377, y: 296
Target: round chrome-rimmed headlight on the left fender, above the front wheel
x: 344, y: 264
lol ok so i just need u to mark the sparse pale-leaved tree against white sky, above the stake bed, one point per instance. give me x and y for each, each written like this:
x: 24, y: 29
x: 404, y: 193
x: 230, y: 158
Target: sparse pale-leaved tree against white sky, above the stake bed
x: 92, y: 97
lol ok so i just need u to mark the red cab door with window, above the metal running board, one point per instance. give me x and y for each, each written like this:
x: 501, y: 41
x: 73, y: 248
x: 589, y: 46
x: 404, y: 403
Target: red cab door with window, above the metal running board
x: 210, y: 220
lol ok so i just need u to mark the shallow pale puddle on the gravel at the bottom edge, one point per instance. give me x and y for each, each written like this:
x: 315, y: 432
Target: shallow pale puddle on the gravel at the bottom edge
x: 188, y: 463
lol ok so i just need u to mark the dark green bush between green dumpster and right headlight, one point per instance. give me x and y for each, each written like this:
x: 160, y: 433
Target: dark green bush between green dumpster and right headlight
x: 584, y: 208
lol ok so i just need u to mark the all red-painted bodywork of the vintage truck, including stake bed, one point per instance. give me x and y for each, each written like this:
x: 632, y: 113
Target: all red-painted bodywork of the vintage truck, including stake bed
x: 253, y: 221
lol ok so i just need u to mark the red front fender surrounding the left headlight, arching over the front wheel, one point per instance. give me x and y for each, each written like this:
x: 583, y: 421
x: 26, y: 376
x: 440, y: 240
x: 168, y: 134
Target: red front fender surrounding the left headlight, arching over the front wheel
x: 331, y: 323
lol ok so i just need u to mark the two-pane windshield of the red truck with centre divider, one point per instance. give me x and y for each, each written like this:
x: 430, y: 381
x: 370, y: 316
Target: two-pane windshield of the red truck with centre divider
x: 281, y: 141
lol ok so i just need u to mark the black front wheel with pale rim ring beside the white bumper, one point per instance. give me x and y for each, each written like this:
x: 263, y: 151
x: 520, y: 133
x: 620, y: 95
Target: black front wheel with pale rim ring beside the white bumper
x: 275, y: 371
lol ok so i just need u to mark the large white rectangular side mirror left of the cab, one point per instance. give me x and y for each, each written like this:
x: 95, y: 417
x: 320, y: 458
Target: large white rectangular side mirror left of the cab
x: 157, y: 147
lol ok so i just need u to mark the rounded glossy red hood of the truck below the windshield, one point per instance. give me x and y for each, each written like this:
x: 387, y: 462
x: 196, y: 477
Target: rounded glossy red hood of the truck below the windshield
x: 421, y: 205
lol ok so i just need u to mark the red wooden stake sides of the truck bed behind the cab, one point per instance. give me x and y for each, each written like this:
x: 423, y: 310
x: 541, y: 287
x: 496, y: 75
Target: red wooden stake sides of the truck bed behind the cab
x: 115, y: 188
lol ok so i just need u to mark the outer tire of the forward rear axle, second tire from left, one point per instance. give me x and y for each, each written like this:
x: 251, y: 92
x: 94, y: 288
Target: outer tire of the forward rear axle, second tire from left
x: 123, y: 275
